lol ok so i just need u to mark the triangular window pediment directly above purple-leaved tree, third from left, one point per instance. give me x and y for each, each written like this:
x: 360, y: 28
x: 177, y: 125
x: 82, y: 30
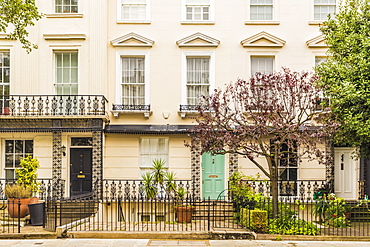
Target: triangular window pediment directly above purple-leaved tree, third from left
x: 263, y: 39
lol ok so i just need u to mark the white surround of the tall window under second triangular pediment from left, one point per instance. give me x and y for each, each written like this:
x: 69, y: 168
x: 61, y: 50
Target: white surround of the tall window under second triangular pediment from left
x: 212, y: 69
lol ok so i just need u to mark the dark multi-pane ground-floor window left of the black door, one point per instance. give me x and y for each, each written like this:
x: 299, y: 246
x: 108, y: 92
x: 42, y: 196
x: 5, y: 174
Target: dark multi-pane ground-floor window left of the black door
x: 14, y: 151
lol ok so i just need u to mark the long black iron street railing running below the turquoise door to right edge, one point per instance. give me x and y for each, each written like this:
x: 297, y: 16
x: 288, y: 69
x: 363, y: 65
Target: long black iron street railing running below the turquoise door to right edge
x: 295, y: 216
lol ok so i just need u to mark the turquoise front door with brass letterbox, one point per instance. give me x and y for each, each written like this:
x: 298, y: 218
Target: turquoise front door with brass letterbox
x: 213, y: 178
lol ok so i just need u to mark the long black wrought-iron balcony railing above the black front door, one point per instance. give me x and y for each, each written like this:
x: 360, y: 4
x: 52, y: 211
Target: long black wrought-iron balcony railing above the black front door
x: 54, y: 105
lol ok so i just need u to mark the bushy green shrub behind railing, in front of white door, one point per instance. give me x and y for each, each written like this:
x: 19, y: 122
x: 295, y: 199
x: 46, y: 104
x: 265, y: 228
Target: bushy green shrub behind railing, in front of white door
x: 330, y: 211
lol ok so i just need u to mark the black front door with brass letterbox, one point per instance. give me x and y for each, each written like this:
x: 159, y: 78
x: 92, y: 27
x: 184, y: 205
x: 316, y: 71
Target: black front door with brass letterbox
x: 81, y: 163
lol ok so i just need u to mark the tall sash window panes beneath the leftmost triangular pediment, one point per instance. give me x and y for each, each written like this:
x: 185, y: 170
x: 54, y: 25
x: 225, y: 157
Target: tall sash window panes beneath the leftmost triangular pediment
x: 133, y: 80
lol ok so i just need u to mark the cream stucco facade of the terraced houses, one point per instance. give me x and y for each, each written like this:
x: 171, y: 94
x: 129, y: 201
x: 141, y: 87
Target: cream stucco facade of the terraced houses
x: 162, y: 35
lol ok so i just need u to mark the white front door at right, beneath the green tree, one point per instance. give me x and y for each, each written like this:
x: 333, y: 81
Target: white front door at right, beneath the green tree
x: 345, y: 174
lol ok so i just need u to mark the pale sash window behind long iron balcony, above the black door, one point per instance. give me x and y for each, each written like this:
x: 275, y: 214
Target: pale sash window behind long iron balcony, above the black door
x: 66, y: 70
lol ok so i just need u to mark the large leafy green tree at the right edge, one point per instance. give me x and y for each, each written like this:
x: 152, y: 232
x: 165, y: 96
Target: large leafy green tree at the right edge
x: 345, y: 76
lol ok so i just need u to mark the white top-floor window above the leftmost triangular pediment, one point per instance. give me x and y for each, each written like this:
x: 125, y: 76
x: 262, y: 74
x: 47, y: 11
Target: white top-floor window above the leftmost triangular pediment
x: 134, y: 10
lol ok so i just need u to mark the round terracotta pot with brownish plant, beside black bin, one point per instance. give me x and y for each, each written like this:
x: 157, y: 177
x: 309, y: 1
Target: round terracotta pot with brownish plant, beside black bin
x: 19, y: 197
